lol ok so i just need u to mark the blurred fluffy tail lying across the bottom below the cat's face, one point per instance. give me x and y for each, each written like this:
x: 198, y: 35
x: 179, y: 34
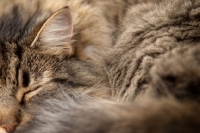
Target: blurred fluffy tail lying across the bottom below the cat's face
x: 164, y: 116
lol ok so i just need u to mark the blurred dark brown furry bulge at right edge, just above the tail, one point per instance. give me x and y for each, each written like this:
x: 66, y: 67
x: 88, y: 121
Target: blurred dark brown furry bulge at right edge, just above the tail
x: 178, y: 73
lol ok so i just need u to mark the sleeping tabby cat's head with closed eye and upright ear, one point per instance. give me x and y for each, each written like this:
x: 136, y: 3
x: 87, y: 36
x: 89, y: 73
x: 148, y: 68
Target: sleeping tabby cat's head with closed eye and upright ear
x: 36, y: 66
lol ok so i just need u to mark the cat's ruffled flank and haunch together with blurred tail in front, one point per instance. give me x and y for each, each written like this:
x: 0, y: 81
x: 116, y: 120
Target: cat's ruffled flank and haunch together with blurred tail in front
x: 153, y: 72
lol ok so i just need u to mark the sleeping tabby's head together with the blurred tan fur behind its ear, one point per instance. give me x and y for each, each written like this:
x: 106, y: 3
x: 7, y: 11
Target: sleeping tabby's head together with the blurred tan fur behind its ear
x: 48, y: 47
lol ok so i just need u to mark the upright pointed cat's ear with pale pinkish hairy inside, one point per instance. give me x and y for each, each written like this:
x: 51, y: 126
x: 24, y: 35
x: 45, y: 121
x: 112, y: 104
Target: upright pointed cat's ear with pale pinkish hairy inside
x: 56, y: 33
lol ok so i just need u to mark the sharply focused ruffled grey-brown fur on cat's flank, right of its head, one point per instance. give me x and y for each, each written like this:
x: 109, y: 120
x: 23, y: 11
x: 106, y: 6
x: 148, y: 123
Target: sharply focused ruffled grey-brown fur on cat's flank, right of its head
x: 150, y: 32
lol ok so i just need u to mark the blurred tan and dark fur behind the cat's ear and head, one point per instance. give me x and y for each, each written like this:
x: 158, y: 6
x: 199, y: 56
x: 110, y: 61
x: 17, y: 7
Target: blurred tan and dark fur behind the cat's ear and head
x: 91, y: 33
